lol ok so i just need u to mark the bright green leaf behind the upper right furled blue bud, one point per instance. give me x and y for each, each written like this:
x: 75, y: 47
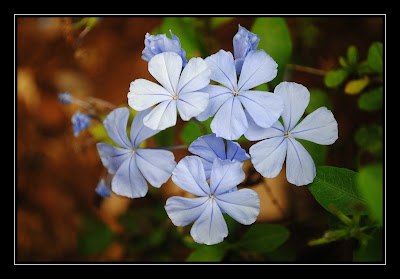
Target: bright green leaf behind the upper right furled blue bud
x: 275, y: 39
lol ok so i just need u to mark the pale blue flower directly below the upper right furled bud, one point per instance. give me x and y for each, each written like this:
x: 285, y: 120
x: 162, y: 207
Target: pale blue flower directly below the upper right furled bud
x: 226, y: 101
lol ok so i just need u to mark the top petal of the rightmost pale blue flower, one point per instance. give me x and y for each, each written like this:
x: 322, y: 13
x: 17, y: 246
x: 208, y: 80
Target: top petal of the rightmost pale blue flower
x: 296, y: 98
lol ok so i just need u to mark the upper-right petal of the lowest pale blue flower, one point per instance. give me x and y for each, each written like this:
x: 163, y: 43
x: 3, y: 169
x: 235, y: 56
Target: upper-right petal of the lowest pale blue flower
x: 225, y: 175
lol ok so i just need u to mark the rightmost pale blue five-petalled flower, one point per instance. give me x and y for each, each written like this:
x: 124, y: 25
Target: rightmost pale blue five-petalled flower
x: 279, y: 141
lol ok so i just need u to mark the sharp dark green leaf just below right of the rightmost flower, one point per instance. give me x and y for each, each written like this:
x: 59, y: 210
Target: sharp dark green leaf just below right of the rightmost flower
x: 337, y: 186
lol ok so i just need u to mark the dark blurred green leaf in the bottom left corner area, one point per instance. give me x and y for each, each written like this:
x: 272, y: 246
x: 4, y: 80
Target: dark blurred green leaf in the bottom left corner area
x: 94, y: 236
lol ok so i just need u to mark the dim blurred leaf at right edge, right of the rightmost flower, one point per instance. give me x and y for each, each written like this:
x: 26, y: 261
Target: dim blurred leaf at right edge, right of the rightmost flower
x: 369, y: 138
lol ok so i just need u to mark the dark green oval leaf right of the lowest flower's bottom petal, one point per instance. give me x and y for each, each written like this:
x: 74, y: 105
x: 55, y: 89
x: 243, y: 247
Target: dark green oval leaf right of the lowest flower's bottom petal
x: 263, y: 238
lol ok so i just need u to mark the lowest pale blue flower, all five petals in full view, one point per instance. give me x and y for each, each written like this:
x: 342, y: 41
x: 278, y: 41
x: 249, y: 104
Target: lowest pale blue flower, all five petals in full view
x: 212, y: 200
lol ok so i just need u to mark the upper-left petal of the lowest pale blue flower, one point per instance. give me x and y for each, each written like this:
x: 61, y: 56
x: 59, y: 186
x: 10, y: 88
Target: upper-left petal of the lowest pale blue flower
x: 189, y: 175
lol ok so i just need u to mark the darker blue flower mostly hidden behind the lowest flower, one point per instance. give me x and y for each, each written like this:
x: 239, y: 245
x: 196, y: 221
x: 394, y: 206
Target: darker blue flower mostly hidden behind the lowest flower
x: 209, y: 147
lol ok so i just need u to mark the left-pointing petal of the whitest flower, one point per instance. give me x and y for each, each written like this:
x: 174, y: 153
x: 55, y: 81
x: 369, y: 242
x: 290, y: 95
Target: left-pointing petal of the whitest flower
x: 144, y: 94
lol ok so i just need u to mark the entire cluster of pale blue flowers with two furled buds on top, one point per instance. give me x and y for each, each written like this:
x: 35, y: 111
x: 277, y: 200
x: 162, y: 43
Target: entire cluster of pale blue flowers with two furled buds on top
x: 214, y: 172
